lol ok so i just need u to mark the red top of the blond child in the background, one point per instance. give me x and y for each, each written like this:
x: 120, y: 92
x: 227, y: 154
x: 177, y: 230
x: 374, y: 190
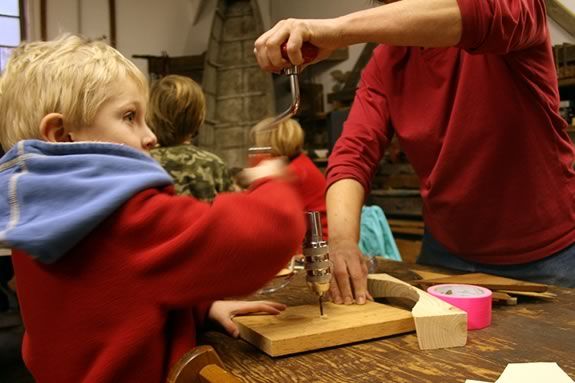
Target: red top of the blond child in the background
x: 311, y: 187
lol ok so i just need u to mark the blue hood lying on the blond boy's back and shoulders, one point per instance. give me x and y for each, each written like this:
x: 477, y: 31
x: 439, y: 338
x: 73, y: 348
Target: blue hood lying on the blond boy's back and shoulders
x: 53, y: 194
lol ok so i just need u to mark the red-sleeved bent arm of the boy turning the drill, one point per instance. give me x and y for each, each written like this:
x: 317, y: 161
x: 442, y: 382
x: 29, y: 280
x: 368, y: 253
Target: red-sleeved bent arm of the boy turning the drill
x: 186, y: 251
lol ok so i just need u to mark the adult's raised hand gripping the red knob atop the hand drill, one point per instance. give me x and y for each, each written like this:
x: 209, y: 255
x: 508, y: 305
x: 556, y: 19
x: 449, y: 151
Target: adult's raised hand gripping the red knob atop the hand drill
x: 324, y: 34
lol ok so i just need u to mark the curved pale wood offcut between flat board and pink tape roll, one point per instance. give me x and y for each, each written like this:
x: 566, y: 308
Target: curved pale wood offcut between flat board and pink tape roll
x: 437, y: 323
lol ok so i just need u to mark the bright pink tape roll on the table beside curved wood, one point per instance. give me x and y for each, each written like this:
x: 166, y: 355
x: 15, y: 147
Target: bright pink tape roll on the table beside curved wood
x: 475, y: 300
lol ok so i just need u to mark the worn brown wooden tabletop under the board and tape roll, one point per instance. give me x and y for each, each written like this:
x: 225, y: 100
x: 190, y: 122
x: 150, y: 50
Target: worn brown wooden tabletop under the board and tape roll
x: 532, y: 331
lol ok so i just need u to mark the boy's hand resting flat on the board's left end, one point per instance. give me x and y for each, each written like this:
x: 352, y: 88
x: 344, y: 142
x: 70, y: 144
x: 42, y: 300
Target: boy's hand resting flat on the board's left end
x: 223, y: 312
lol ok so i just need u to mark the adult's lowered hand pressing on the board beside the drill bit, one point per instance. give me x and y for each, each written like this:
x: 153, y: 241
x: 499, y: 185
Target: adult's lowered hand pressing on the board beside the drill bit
x: 349, y: 282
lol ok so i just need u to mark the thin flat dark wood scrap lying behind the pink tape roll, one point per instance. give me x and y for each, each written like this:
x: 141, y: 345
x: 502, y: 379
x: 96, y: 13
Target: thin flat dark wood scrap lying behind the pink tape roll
x: 489, y: 281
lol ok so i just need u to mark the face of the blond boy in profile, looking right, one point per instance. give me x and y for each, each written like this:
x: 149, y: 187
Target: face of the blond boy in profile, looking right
x: 120, y: 120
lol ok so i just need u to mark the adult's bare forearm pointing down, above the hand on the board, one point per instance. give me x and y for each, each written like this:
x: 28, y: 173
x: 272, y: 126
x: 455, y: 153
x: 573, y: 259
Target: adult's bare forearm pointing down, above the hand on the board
x: 344, y: 200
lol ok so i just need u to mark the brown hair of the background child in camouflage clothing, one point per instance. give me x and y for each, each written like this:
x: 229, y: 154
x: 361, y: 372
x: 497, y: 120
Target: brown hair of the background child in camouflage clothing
x: 176, y: 110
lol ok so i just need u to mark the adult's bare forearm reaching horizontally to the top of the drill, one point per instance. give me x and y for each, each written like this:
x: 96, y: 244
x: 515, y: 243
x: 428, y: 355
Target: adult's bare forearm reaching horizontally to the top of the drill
x: 425, y: 23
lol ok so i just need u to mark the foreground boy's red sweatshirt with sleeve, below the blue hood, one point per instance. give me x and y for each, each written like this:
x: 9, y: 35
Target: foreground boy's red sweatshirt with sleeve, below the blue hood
x: 124, y: 304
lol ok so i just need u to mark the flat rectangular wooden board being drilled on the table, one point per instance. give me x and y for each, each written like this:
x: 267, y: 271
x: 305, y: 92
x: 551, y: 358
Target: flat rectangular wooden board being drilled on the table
x: 301, y: 328
